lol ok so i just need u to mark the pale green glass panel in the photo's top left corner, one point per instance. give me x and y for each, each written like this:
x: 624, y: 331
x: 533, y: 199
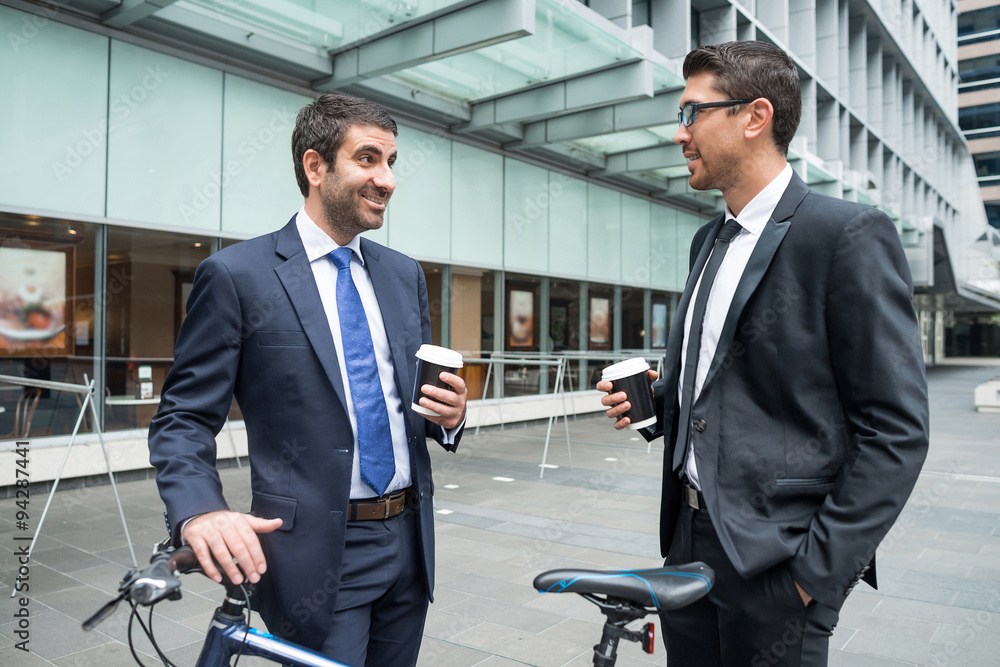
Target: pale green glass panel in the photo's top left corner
x: 53, y: 151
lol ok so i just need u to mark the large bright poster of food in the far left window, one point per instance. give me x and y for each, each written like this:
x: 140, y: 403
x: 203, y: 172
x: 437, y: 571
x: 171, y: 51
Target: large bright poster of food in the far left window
x: 34, y: 298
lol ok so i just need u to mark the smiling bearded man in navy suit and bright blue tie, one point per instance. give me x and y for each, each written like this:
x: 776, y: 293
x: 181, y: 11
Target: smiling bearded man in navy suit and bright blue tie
x: 313, y: 330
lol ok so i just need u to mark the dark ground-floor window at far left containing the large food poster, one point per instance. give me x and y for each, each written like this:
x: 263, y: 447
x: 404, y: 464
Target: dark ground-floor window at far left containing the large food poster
x: 47, y: 311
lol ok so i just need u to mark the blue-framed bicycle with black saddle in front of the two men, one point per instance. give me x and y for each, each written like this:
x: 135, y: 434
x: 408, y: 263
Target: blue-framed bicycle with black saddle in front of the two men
x: 623, y: 596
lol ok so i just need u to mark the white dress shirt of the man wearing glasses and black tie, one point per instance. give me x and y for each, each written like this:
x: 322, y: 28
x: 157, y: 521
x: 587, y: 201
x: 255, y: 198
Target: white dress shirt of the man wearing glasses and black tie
x: 753, y: 218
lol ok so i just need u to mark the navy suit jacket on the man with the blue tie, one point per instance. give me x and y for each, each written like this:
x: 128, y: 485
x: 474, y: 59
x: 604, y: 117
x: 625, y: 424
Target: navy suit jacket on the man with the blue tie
x: 256, y: 329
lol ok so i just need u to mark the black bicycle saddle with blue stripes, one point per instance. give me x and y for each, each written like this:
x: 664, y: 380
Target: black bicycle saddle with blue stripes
x: 664, y: 588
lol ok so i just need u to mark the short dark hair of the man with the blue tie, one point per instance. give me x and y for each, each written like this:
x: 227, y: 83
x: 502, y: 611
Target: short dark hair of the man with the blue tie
x: 322, y: 125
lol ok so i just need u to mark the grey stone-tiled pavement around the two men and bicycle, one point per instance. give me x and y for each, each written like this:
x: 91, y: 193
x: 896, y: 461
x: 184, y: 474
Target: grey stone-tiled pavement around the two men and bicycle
x: 498, y: 525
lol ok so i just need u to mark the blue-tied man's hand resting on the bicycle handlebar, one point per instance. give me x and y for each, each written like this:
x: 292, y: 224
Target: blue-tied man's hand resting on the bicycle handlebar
x: 231, y: 537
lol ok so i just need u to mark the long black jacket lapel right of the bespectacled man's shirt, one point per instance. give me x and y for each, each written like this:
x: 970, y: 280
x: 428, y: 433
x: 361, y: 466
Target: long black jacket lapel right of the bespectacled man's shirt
x: 767, y: 245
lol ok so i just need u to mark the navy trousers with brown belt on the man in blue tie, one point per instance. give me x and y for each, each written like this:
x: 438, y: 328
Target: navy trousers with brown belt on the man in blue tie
x: 382, y: 600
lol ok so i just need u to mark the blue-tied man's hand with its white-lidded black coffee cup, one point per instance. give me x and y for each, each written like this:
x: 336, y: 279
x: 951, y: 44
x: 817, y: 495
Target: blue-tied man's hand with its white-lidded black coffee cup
x: 441, y: 401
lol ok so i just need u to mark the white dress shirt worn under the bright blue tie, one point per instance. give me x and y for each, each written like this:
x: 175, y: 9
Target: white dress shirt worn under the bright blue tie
x: 318, y: 245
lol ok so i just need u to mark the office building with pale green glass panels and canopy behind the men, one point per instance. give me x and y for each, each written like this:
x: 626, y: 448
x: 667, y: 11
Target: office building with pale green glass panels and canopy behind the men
x: 537, y: 180
